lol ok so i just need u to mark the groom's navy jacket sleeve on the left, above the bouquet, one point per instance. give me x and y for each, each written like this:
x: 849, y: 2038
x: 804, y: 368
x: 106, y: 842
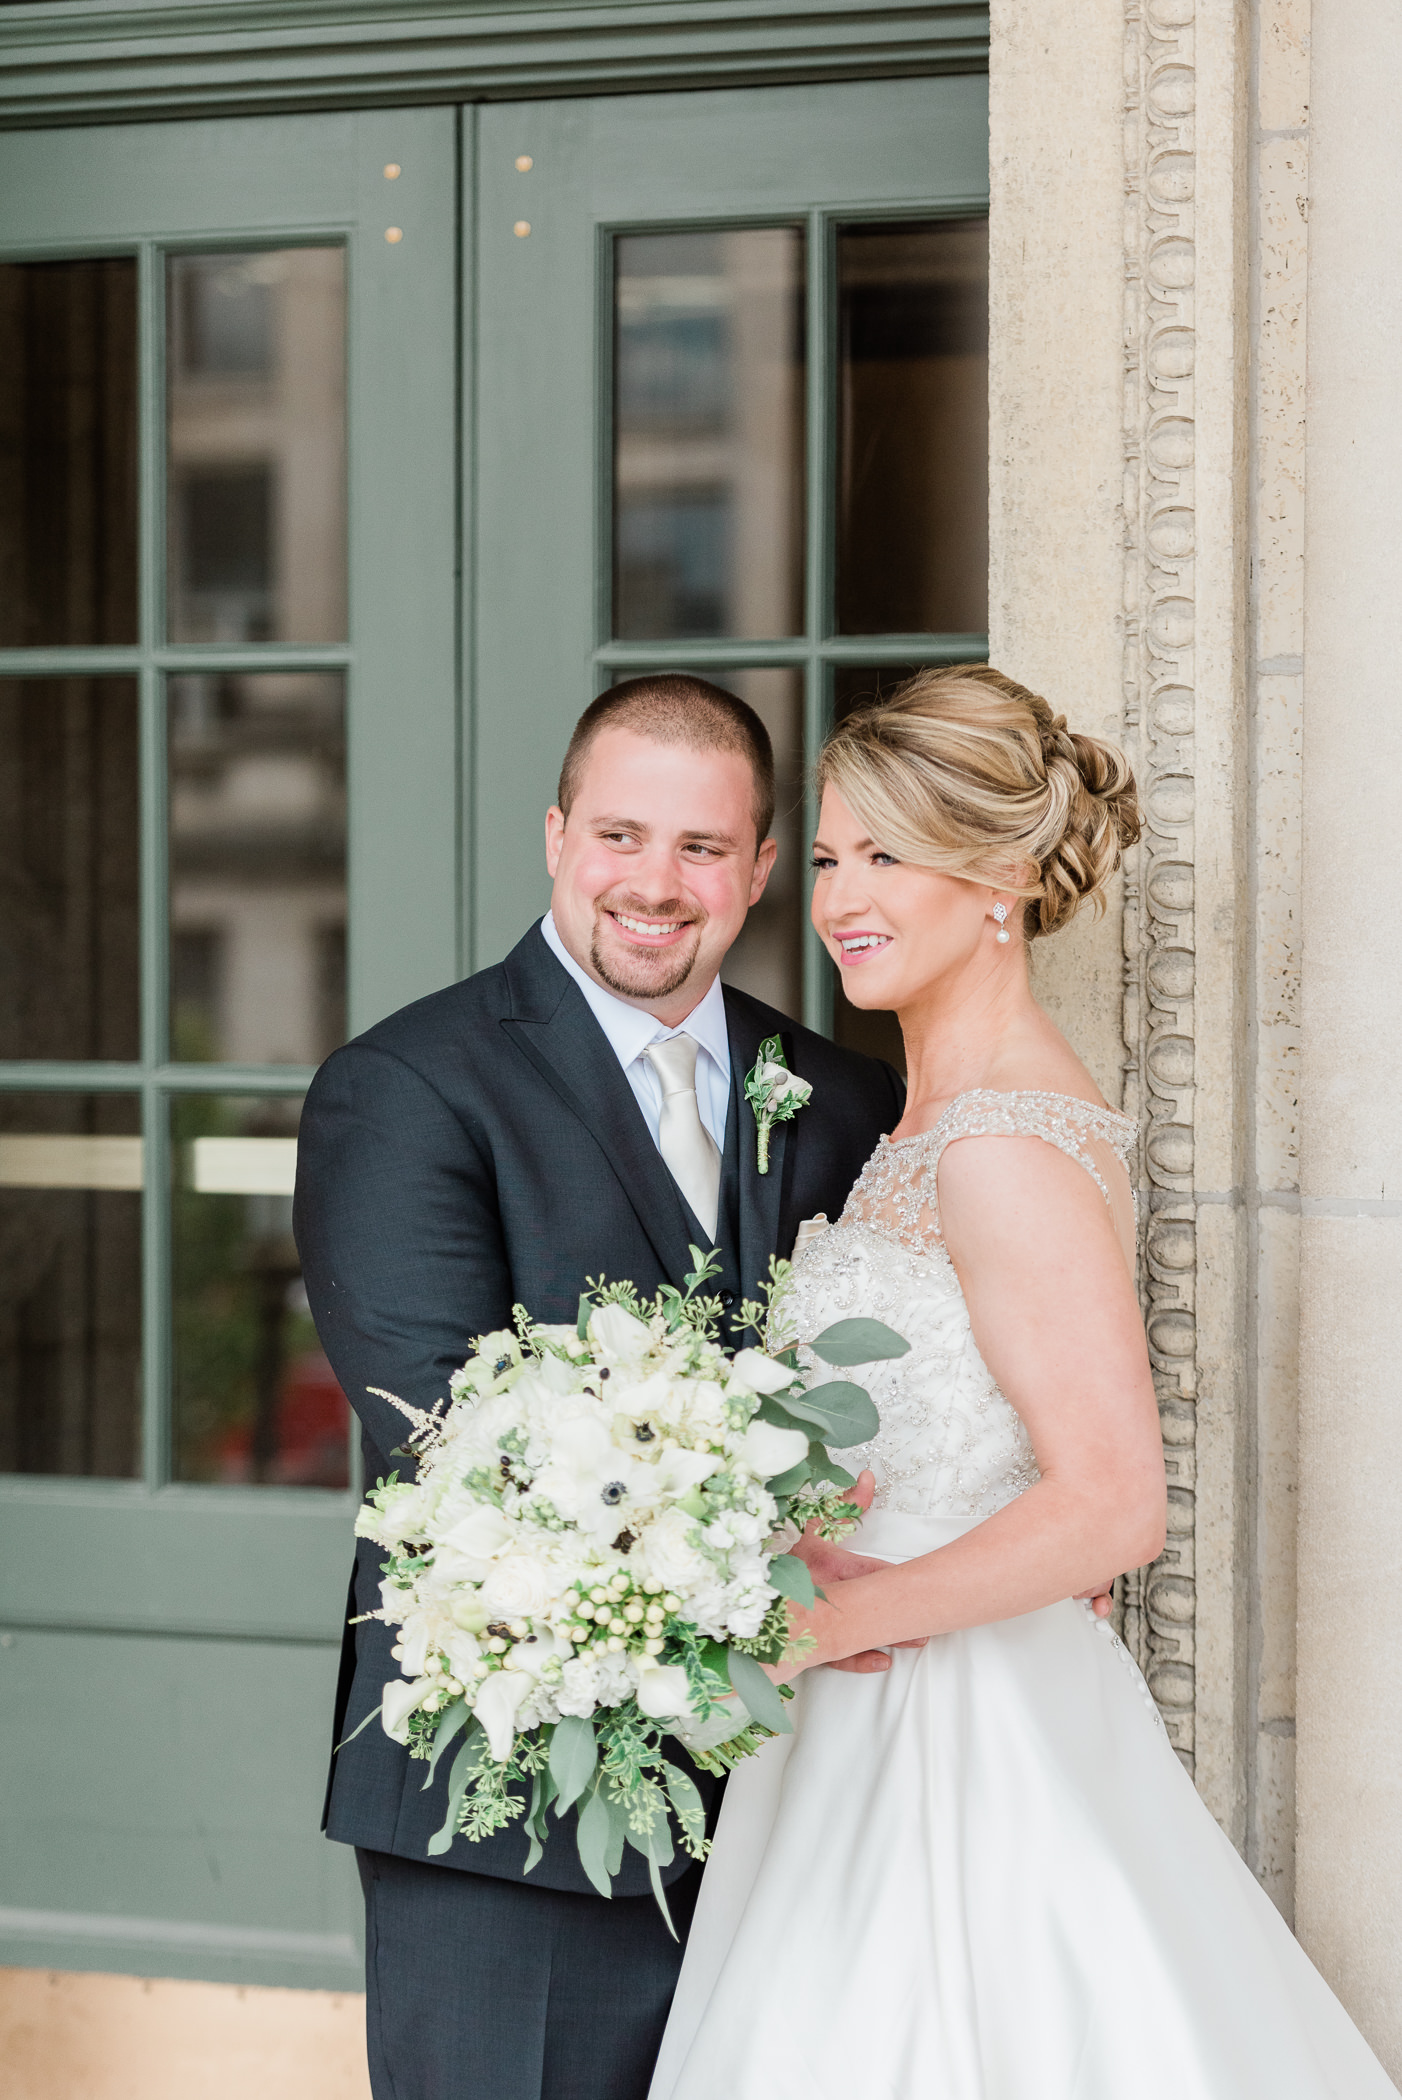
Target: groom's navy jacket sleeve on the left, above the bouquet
x: 398, y: 1227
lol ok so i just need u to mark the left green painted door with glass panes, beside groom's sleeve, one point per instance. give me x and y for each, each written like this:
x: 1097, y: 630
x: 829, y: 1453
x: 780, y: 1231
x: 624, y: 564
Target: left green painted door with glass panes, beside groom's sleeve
x: 228, y: 837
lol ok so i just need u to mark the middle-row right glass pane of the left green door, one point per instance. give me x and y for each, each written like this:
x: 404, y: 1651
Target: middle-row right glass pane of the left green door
x: 257, y: 866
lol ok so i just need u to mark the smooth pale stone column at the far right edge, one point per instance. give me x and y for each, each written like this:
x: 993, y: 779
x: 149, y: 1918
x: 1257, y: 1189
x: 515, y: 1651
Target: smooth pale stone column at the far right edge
x: 1351, y: 1444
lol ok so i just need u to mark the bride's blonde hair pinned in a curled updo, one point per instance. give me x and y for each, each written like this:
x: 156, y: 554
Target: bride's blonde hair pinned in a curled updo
x: 966, y: 772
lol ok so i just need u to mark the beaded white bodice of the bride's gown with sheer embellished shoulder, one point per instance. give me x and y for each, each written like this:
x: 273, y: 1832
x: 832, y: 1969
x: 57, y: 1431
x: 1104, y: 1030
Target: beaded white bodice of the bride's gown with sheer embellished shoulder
x: 950, y: 1442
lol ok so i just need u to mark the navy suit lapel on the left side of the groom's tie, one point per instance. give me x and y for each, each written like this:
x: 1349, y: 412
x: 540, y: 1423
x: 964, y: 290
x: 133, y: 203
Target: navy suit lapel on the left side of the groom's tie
x: 553, y: 1026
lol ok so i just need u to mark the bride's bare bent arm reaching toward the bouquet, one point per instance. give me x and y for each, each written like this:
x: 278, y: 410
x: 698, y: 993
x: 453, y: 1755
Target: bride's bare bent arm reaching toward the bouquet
x: 1057, y: 1322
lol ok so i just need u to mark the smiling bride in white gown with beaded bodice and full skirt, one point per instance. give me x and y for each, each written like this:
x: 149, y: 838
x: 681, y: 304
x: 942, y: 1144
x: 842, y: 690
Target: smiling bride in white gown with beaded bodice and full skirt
x: 983, y: 1874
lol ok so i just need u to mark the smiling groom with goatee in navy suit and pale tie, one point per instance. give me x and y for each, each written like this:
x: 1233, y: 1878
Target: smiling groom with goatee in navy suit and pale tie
x: 572, y: 1112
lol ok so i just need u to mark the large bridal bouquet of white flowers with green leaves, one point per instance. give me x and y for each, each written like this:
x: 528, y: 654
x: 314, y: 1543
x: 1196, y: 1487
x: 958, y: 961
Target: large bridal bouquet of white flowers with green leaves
x: 593, y: 1557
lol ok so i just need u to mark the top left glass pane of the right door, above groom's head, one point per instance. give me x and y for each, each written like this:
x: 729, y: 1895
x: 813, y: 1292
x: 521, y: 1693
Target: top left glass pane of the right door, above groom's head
x: 708, y: 419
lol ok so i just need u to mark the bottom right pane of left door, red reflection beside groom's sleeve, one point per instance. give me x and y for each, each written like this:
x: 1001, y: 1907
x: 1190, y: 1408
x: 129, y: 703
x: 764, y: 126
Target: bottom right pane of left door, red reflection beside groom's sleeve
x: 255, y: 1400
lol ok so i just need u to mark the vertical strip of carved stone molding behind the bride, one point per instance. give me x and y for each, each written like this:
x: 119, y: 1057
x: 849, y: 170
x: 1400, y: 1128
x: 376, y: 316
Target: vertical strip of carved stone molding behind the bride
x: 1160, y: 1605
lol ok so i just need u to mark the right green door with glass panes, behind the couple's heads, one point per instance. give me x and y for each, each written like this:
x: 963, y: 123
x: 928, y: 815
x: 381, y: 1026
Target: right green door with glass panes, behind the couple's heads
x: 731, y: 417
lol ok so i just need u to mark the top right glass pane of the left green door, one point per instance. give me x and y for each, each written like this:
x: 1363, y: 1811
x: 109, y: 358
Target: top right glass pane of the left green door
x: 257, y: 434
